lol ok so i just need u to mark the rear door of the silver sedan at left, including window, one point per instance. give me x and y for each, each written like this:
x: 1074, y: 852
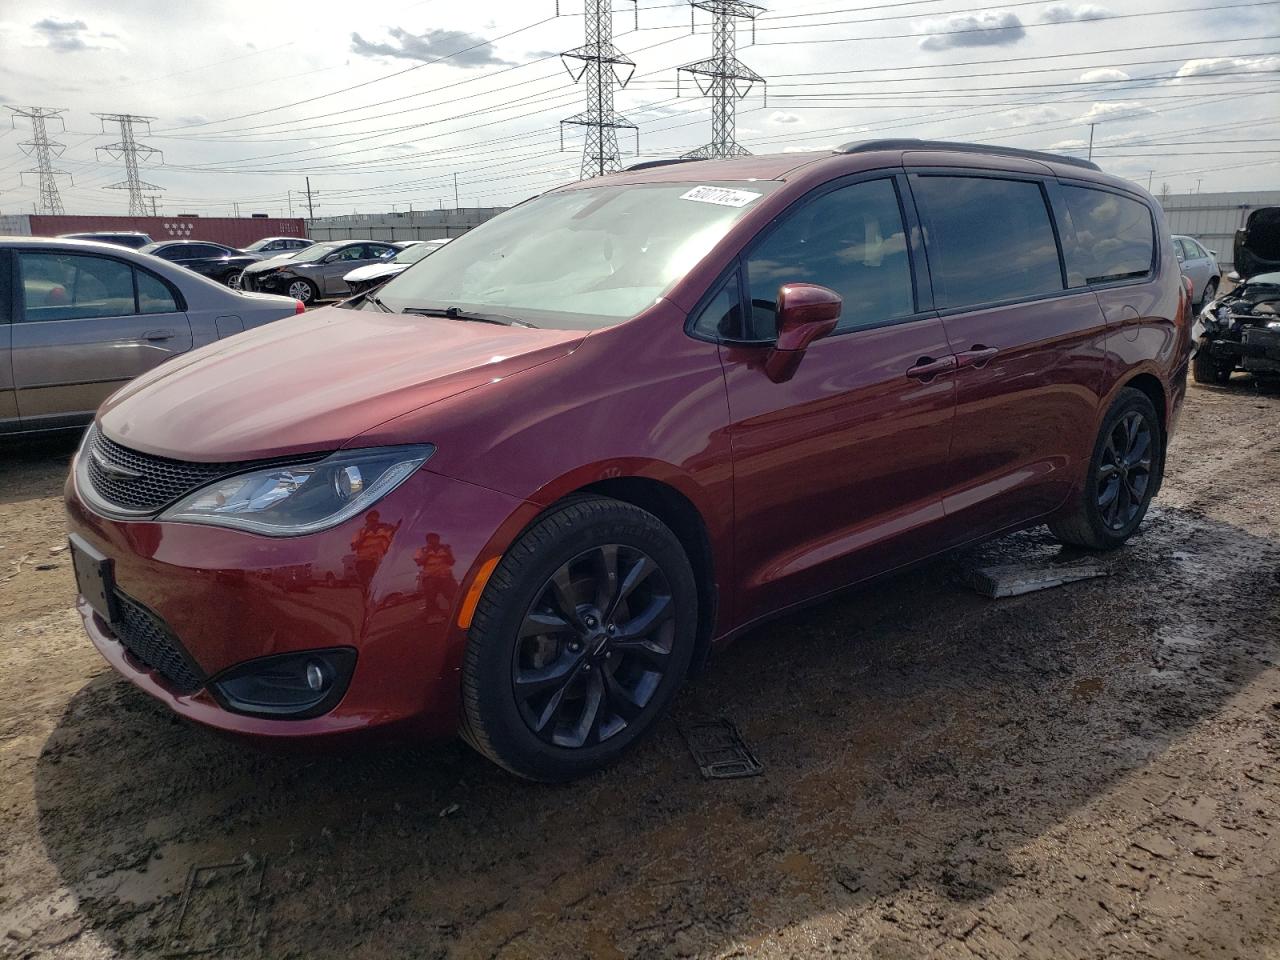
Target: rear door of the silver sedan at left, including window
x: 88, y: 324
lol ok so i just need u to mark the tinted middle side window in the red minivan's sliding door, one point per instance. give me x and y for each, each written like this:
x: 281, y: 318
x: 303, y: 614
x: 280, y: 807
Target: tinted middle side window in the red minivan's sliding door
x: 989, y: 240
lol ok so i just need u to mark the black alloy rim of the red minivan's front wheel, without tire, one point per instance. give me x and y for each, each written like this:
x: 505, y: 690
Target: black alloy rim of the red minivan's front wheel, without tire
x: 595, y: 647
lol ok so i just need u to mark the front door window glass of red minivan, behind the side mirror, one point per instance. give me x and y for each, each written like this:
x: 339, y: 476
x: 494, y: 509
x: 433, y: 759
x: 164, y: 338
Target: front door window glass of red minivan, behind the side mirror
x: 852, y: 241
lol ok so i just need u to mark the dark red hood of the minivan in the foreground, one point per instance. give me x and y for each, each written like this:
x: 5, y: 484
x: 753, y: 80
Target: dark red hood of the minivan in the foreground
x: 316, y: 382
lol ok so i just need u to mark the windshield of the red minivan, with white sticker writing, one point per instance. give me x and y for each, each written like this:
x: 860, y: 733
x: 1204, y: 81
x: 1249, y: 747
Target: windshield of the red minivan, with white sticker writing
x: 580, y: 259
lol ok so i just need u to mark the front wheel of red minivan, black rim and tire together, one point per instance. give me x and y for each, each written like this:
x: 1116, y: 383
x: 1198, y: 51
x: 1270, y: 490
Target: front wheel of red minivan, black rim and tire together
x: 528, y: 697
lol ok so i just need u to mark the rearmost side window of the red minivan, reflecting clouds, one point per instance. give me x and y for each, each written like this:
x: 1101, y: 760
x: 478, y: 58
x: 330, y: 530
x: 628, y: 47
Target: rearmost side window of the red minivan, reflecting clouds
x: 1114, y: 237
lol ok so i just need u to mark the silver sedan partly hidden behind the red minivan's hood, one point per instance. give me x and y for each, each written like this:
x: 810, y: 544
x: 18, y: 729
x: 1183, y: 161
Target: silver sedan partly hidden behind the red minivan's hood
x: 80, y: 319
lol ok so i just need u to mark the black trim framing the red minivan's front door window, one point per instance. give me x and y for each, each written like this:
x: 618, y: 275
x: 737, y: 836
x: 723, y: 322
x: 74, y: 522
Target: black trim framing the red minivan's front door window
x: 921, y: 291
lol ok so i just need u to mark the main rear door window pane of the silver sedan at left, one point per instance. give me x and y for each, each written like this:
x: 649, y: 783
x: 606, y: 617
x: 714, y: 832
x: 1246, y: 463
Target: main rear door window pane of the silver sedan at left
x: 70, y: 287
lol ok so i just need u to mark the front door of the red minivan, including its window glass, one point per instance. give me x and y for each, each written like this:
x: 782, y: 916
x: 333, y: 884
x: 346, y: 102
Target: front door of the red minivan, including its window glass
x: 838, y: 473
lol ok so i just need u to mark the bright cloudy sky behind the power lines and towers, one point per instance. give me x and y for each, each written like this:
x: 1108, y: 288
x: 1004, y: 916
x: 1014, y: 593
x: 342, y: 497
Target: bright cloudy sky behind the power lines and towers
x: 385, y: 104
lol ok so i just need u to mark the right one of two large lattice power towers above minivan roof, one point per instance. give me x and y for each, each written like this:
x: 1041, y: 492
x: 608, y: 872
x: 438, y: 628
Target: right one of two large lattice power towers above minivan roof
x: 724, y: 77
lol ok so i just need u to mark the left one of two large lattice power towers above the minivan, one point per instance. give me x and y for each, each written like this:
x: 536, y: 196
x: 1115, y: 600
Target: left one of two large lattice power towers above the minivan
x: 604, y: 66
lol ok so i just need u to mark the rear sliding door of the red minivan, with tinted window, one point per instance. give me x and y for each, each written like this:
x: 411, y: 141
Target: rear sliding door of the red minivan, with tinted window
x: 1031, y: 353
